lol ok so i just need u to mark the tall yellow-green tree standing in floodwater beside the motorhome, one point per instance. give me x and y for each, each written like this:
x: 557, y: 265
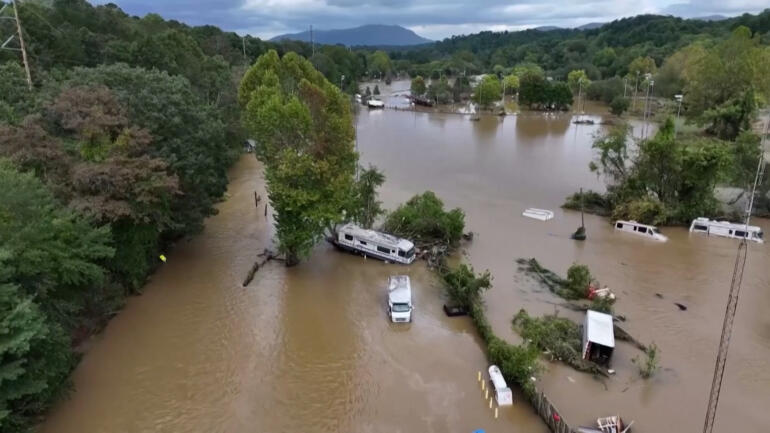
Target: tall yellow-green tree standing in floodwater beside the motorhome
x: 304, y: 127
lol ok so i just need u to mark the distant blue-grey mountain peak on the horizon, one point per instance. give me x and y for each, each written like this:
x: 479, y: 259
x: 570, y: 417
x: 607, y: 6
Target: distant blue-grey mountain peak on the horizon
x: 372, y: 35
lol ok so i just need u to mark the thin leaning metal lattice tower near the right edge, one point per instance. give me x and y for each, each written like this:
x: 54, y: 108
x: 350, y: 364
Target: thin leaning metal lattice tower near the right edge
x: 732, y: 301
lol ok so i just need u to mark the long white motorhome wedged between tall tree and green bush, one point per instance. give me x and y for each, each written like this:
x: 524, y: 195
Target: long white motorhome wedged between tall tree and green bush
x: 371, y: 243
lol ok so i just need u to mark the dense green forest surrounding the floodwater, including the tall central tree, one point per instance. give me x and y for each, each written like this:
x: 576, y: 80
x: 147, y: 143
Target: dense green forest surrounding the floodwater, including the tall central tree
x: 121, y: 147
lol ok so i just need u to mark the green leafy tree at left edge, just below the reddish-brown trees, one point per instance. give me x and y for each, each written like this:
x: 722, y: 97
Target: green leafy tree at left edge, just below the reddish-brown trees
x: 53, y: 253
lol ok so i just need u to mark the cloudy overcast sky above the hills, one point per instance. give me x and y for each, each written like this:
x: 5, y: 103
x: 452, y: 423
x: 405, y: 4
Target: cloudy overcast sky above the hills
x: 434, y: 19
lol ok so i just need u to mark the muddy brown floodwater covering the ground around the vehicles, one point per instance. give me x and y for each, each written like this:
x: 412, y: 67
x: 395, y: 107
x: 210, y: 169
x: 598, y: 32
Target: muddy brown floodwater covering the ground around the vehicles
x: 309, y: 349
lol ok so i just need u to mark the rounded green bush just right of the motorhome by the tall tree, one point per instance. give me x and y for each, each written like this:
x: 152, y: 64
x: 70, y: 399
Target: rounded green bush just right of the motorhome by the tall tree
x: 424, y: 220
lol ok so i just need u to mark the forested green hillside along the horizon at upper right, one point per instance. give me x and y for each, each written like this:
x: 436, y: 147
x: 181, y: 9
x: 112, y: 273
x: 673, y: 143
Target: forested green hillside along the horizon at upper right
x: 604, y: 52
